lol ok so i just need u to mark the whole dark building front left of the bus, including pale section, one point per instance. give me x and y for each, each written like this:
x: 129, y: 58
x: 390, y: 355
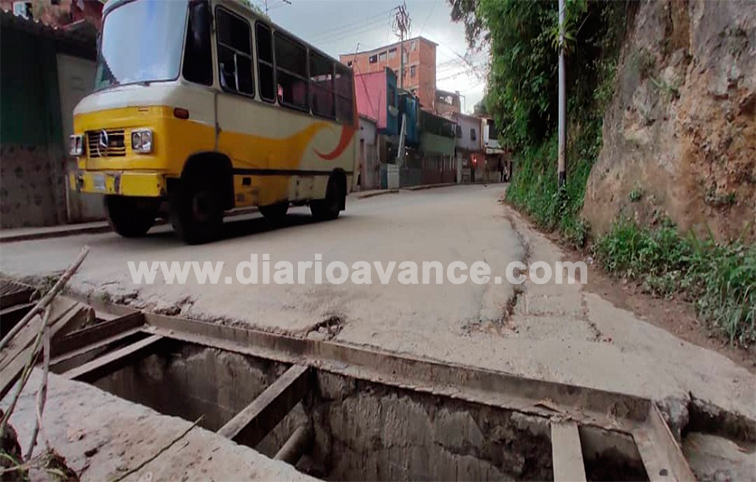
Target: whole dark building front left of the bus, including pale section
x: 44, y: 72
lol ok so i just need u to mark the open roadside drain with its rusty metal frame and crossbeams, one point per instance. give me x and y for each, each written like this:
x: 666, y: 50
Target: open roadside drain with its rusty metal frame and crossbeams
x: 340, y: 412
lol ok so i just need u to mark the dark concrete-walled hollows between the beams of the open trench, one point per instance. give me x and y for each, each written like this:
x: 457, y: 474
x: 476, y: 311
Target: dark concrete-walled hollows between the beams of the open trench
x: 356, y: 430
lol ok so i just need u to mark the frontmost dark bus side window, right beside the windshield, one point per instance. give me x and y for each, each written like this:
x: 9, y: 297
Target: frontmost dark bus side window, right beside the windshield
x: 198, y: 54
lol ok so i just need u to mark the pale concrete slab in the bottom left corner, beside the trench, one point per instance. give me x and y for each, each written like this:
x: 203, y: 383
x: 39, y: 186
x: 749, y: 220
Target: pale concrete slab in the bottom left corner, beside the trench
x: 102, y: 436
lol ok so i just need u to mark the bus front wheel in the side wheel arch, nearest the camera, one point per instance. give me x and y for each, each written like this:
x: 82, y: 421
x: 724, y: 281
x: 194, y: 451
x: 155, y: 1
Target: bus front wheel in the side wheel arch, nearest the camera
x: 196, y: 212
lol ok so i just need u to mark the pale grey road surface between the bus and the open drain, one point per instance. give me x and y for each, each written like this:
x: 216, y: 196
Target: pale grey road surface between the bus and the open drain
x: 554, y: 332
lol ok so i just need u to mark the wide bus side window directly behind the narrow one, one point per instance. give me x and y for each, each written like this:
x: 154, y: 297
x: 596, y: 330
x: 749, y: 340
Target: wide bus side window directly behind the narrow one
x: 291, y: 72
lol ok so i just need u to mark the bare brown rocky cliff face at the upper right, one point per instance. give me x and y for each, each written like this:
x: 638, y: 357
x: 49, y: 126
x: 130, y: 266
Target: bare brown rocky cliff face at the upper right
x: 679, y: 139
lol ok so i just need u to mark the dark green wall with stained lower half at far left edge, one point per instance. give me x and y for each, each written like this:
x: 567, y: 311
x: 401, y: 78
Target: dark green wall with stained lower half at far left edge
x: 32, y: 157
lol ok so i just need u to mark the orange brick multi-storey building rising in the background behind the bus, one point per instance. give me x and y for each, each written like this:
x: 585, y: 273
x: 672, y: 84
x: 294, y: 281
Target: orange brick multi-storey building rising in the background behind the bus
x: 419, y: 66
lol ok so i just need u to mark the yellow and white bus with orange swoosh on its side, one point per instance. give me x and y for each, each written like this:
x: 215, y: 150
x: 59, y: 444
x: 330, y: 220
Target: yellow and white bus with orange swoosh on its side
x: 208, y: 106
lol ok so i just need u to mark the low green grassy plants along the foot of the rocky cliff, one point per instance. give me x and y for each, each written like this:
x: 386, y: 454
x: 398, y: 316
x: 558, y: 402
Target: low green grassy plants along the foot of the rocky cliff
x: 719, y: 278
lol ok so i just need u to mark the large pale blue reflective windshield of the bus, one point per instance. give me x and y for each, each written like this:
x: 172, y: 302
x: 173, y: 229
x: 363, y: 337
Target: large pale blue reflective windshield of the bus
x: 141, y: 42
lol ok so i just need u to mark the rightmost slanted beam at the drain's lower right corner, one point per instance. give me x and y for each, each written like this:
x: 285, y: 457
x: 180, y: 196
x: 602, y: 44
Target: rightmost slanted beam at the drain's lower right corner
x: 660, y: 453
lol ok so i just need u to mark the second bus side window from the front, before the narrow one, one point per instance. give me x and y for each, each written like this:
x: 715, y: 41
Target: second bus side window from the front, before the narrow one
x: 234, y: 53
